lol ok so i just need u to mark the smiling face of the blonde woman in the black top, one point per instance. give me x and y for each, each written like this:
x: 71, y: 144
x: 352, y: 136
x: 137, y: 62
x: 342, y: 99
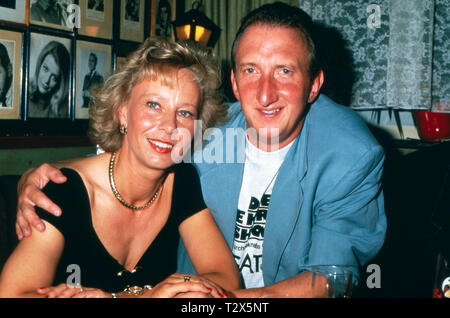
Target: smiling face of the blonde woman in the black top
x: 160, y: 119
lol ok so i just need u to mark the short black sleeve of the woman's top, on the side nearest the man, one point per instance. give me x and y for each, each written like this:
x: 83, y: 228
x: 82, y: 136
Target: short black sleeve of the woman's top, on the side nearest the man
x: 187, y: 192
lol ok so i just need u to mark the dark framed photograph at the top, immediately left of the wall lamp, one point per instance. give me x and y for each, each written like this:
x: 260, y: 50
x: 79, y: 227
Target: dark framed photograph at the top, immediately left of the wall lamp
x: 163, y: 13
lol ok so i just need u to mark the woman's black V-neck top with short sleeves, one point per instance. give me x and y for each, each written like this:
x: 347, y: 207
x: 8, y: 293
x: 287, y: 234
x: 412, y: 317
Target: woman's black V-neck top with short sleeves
x: 85, y: 254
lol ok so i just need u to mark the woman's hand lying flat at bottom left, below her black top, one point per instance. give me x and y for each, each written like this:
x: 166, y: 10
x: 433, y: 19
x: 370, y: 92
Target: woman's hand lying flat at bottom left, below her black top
x: 66, y: 291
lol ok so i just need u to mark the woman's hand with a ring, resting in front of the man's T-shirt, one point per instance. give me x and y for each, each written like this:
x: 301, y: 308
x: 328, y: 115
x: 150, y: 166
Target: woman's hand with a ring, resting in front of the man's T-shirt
x: 185, y: 285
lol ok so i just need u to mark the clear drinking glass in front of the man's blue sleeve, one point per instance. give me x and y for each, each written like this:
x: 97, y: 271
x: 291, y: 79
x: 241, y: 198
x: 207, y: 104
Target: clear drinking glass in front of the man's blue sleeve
x: 331, y: 281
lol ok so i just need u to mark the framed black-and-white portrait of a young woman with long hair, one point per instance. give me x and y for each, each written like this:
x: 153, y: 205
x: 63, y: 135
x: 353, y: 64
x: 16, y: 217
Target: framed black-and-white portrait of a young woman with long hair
x: 49, y: 77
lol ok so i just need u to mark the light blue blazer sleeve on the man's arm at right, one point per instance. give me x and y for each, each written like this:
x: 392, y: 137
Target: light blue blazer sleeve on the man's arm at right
x: 349, y: 223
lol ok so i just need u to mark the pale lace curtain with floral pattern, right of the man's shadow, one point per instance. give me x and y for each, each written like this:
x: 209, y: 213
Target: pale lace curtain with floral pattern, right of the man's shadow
x: 402, y: 63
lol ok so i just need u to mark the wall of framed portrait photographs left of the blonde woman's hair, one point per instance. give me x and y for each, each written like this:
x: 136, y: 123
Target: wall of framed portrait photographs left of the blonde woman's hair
x: 53, y: 52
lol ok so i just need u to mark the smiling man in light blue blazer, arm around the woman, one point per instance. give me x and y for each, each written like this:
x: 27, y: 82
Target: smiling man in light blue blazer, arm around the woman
x: 309, y: 190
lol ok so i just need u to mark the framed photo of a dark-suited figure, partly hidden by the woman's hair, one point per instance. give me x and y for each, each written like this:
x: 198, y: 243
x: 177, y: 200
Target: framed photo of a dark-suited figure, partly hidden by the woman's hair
x: 92, y: 68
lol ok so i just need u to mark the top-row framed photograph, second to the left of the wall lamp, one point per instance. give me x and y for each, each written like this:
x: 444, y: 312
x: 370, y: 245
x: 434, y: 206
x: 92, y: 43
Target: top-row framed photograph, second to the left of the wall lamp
x: 132, y: 20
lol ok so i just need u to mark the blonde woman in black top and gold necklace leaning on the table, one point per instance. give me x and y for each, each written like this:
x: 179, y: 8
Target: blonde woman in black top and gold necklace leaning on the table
x: 124, y: 210
